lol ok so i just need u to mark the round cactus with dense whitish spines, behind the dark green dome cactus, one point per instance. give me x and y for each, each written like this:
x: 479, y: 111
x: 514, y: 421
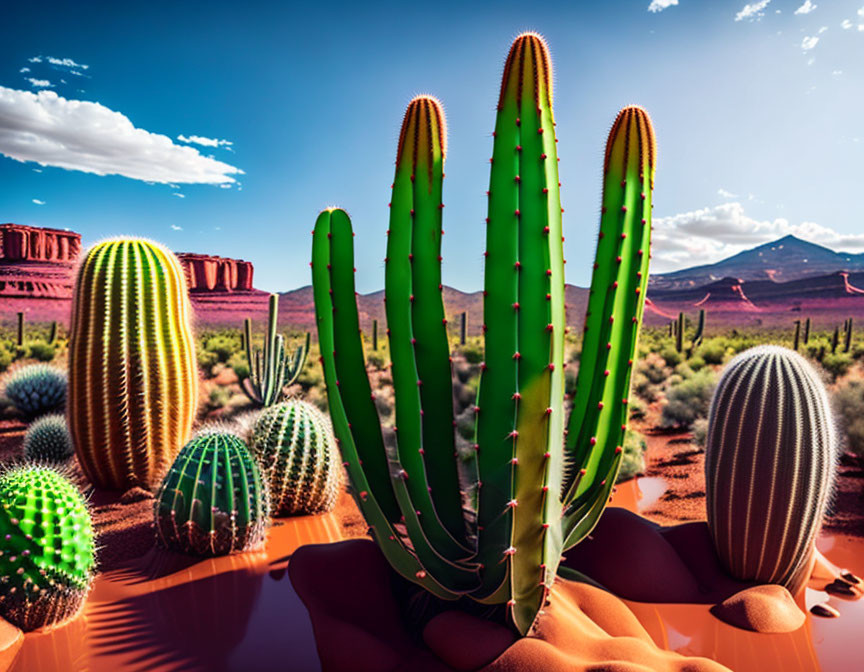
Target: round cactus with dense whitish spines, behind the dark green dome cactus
x: 297, y: 454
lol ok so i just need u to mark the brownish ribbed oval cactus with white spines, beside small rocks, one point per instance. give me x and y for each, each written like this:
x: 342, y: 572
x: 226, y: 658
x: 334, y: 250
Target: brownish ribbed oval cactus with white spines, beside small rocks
x: 769, y: 465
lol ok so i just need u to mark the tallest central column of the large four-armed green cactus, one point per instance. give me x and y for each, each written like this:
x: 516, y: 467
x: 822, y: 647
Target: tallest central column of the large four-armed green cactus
x: 524, y: 341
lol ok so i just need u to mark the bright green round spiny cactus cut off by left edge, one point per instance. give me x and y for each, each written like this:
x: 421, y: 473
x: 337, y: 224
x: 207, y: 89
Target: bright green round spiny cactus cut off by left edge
x: 47, y: 556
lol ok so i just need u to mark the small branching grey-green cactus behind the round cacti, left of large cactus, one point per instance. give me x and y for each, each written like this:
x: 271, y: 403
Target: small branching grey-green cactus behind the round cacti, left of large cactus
x: 271, y: 370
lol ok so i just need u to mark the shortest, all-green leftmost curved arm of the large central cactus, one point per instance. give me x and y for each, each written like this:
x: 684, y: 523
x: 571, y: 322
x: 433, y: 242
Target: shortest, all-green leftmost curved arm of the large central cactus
x: 382, y: 498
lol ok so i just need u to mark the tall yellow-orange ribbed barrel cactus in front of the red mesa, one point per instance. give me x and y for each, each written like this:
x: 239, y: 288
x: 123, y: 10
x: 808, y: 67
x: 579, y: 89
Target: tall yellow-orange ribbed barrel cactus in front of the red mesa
x: 133, y: 379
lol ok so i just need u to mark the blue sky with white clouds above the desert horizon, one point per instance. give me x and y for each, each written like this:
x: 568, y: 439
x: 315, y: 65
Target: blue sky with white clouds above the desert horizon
x: 757, y: 108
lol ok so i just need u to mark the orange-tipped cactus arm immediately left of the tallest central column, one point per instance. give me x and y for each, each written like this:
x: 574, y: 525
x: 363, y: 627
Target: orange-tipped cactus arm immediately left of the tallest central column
x: 419, y: 350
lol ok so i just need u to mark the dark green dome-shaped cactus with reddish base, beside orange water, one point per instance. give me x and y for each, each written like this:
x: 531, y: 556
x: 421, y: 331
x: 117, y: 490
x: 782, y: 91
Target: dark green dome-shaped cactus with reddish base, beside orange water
x: 212, y: 501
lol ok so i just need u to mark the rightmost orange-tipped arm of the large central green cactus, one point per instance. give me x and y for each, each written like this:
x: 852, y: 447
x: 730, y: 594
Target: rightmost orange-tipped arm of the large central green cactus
x: 615, y: 305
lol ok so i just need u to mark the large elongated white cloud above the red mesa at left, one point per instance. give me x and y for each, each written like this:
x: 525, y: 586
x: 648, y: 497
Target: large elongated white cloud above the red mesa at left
x: 50, y: 130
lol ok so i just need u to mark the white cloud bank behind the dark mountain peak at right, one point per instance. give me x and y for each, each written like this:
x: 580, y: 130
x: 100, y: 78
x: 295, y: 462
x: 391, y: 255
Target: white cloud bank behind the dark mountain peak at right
x: 711, y: 234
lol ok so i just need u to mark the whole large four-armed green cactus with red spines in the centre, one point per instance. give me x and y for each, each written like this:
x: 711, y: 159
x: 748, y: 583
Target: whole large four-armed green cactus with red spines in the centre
x: 534, y: 494
